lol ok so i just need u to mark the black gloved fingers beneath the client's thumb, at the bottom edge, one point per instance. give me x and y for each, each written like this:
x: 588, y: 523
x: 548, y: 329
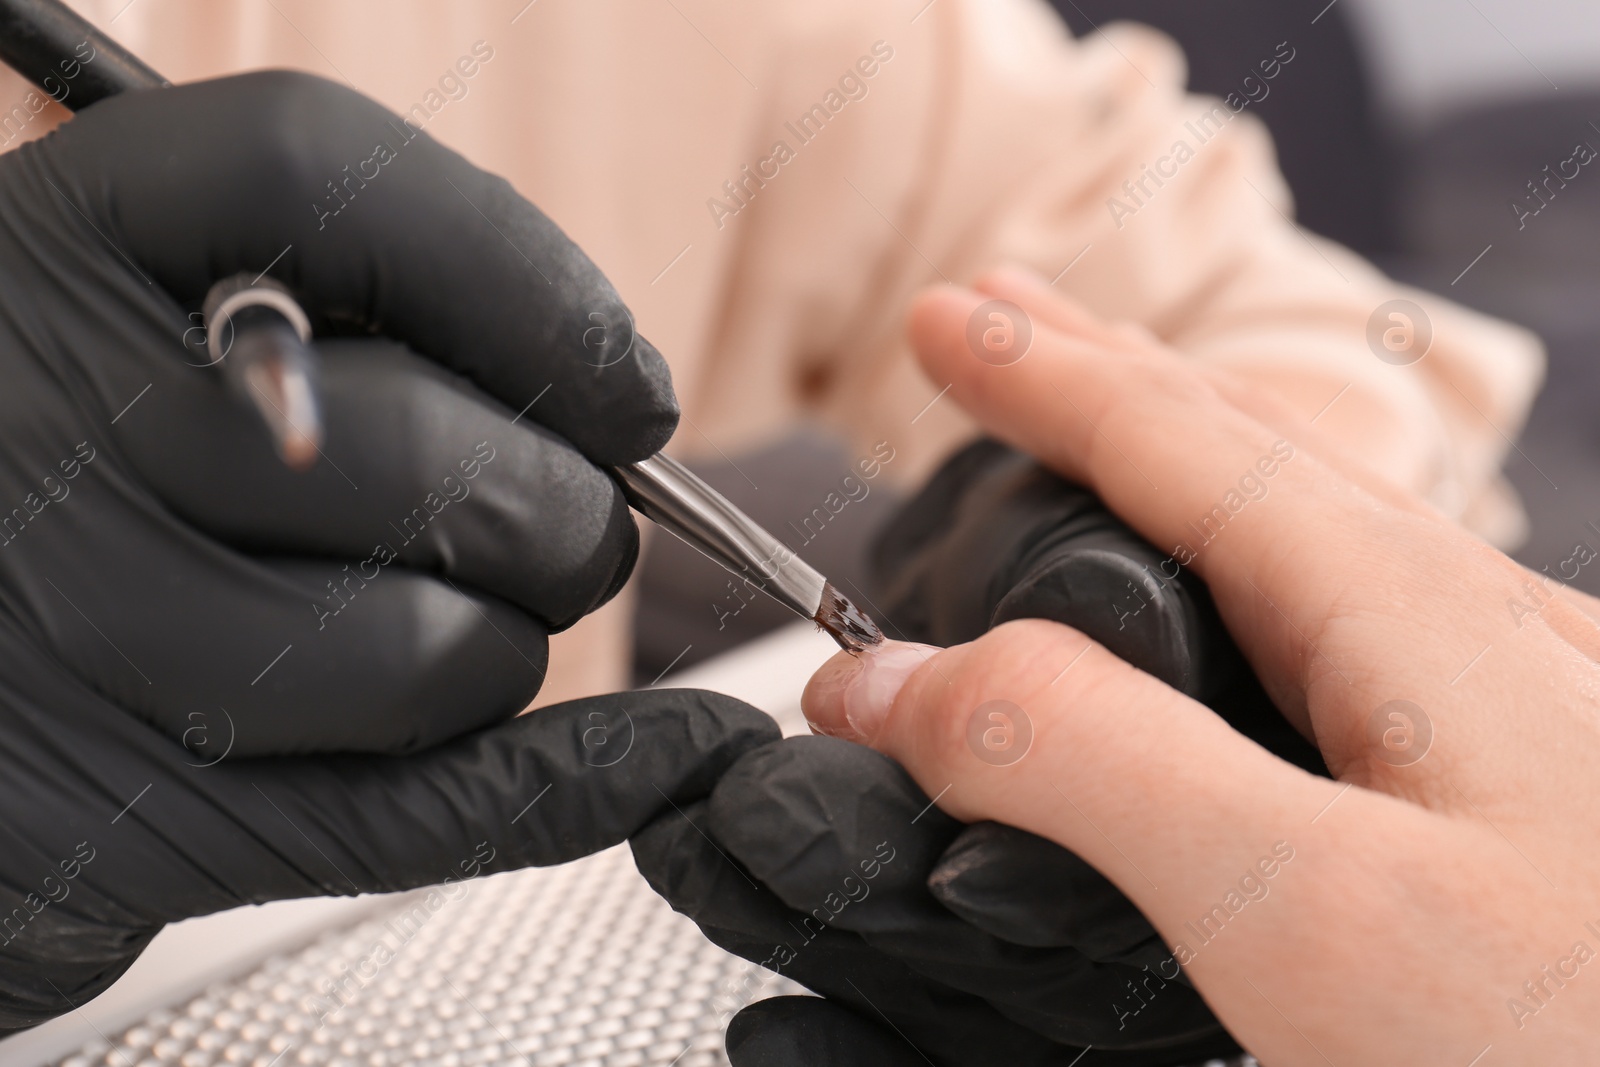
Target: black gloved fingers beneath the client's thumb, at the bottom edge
x: 814, y: 858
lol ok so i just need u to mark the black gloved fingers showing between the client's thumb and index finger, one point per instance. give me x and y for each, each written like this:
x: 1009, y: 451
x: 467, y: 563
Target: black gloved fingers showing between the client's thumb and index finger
x: 996, y: 537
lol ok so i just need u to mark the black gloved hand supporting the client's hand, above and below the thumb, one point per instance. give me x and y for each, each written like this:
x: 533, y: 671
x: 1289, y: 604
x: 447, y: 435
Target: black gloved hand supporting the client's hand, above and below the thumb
x: 991, y: 924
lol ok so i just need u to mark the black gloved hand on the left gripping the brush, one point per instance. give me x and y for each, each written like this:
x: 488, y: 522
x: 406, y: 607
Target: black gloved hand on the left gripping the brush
x: 226, y: 682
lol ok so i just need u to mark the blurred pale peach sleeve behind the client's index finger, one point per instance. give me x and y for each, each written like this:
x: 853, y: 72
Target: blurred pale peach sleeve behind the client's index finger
x: 994, y: 137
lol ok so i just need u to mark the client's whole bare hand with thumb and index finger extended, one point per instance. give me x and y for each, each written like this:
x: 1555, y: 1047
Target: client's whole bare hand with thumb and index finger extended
x: 1439, y: 901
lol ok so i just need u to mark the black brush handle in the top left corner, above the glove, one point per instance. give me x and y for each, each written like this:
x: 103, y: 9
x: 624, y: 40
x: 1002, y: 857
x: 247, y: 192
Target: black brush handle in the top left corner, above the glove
x: 44, y: 41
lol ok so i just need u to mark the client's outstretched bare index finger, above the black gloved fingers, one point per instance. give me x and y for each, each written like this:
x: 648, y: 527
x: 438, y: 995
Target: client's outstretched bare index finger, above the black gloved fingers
x: 1150, y: 433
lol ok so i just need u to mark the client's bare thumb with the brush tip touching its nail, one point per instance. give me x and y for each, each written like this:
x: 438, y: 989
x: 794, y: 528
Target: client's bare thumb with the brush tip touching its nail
x: 1038, y: 727
